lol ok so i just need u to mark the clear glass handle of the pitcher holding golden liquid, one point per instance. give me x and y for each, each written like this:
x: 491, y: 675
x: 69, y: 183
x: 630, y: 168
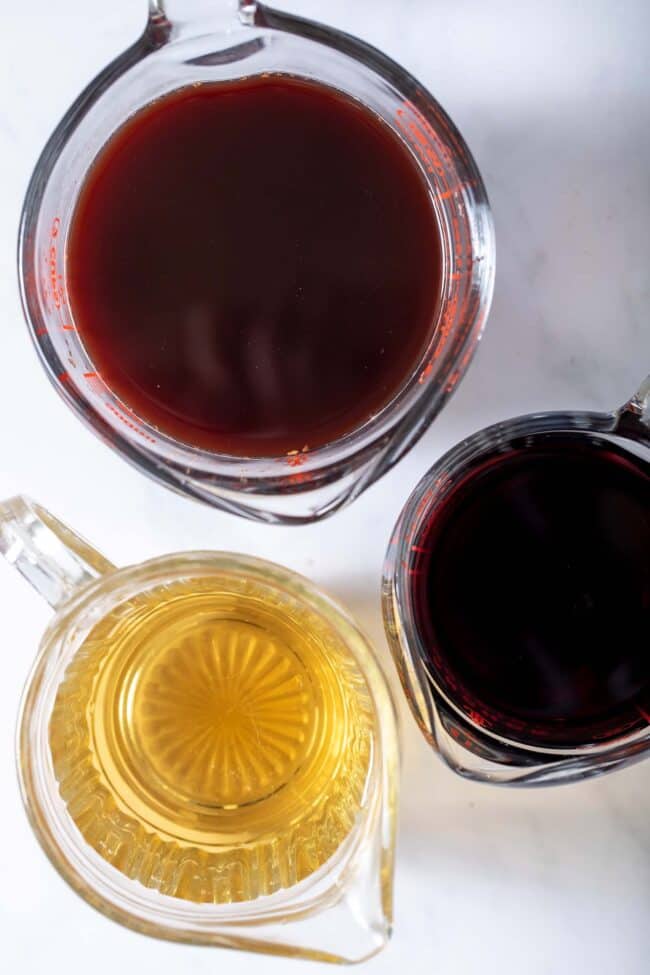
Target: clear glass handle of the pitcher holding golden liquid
x: 54, y: 559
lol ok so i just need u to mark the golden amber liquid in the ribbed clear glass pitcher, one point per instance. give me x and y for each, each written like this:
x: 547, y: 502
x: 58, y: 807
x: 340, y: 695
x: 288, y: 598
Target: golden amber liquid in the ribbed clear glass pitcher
x: 212, y: 740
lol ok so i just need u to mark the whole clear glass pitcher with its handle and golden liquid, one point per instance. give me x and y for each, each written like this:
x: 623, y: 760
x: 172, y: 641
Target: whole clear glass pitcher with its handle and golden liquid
x: 207, y: 748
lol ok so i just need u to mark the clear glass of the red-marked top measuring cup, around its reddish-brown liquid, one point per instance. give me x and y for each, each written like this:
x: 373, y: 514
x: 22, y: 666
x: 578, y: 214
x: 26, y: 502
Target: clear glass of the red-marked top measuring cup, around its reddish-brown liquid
x: 187, y: 42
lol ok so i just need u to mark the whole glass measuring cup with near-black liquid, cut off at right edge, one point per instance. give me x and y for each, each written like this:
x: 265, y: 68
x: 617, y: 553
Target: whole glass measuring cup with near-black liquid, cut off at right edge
x: 517, y: 597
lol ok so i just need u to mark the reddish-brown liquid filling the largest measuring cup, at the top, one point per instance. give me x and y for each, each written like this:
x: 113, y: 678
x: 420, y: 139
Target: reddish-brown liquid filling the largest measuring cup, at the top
x: 255, y: 267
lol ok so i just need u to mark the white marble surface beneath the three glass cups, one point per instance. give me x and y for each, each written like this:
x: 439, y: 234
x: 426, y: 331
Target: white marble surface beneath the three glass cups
x: 553, y: 99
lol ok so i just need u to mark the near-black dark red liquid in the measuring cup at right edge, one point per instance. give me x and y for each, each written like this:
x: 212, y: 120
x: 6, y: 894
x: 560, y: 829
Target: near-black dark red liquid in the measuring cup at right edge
x: 533, y: 593
